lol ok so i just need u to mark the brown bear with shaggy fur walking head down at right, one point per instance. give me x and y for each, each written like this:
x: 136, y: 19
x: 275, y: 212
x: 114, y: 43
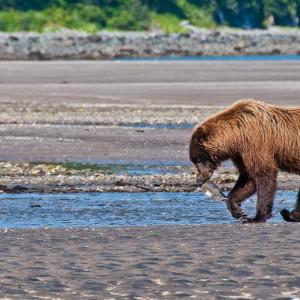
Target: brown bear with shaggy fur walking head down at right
x: 260, y: 139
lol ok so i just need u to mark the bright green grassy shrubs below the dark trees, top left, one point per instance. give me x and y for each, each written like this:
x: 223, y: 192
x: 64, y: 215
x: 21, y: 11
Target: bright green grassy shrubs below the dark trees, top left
x: 91, y: 18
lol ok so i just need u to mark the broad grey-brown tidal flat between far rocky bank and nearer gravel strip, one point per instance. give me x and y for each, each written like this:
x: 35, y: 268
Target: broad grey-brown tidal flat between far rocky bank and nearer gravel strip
x: 88, y: 95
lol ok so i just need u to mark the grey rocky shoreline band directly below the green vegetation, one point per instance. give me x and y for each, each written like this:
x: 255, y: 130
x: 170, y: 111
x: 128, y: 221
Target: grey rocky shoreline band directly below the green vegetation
x: 114, y: 45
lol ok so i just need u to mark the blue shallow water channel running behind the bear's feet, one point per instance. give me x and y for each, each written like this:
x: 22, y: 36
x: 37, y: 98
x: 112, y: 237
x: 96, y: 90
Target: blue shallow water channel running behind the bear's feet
x: 122, y: 209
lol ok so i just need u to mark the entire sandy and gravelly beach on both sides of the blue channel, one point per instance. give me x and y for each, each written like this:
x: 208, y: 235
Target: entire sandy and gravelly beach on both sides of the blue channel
x: 122, y: 112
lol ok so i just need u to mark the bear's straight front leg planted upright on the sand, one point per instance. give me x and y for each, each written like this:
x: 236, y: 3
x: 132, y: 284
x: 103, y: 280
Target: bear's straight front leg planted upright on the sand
x: 266, y: 187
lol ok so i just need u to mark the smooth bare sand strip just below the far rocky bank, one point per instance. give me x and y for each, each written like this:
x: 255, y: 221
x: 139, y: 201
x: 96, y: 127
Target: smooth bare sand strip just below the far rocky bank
x: 148, y: 83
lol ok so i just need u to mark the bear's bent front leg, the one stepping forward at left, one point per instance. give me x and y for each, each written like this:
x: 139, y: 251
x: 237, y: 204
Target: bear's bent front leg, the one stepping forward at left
x: 242, y: 189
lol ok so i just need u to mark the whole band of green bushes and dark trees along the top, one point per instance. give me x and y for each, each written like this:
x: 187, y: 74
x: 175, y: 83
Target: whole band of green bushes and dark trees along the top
x: 167, y: 15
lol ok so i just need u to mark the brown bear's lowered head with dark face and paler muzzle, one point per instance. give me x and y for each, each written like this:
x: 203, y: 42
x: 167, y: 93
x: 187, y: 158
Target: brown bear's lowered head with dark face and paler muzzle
x: 200, y: 154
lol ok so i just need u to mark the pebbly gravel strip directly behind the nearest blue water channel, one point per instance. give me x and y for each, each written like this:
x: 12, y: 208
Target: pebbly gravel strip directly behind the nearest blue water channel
x: 55, y: 178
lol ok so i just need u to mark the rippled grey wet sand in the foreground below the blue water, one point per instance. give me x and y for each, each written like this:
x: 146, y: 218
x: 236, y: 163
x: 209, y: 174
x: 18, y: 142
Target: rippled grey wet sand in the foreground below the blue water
x: 166, y: 262
